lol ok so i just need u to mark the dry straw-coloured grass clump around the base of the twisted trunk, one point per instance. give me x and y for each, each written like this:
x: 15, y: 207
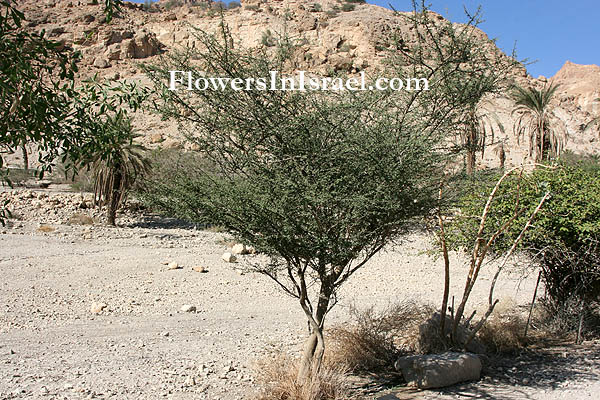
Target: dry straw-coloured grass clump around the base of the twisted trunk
x: 277, y: 378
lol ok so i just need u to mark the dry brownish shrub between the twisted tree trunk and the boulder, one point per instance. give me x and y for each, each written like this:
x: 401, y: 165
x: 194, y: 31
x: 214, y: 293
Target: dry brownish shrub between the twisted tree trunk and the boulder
x: 373, y: 341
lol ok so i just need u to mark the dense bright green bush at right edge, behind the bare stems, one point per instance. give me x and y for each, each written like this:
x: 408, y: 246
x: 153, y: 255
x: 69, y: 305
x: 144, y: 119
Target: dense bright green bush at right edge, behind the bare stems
x: 564, y: 237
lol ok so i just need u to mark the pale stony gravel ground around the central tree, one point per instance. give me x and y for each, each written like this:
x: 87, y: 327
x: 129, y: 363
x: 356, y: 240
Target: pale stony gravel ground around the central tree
x: 141, y: 345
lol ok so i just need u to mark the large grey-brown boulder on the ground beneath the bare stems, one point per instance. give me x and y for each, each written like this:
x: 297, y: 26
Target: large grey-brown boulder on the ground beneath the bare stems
x: 439, y: 370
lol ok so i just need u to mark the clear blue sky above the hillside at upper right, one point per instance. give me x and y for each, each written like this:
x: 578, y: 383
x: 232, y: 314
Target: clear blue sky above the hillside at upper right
x: 549, y: 31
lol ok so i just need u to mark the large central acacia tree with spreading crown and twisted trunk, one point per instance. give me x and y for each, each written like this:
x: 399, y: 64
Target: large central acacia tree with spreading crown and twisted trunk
x: 318, y: 181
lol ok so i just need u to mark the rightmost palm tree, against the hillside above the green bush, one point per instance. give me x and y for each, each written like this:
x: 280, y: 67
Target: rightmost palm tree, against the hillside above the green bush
x: 547, y: 133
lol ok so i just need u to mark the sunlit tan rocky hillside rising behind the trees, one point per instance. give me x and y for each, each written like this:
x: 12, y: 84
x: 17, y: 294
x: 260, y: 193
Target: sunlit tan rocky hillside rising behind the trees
x: 341, y: 36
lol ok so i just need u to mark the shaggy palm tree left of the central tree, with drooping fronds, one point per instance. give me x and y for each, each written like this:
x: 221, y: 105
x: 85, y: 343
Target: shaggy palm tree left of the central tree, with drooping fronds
x: 117, y: 167
